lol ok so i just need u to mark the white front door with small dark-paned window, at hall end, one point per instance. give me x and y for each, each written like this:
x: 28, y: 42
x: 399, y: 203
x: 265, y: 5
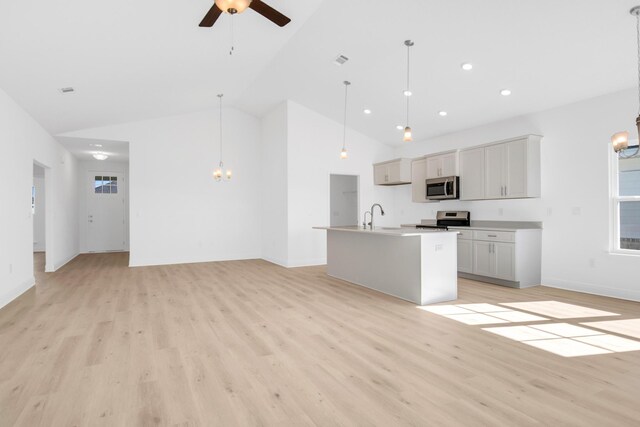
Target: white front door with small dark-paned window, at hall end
x: 105, y: 212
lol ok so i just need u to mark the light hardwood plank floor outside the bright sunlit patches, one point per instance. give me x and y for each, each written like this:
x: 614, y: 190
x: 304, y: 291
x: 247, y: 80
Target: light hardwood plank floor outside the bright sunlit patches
x: 248, y: 343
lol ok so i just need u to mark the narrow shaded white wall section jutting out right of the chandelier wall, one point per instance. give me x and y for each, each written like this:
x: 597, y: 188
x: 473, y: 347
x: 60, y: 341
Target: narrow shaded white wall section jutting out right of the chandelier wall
x: 273, y: 186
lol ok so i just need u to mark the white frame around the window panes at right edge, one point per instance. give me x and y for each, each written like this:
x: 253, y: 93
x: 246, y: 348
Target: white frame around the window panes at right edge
x: 615, y: 200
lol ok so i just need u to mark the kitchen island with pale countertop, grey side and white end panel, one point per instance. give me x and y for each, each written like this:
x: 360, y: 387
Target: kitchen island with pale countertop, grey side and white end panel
x: 416, y: 265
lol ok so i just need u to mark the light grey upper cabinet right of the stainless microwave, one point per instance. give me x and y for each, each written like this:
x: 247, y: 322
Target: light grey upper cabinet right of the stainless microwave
x: 505, y: 170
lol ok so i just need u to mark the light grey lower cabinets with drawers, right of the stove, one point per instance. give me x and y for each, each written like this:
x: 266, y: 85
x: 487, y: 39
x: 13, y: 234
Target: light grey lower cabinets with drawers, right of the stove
x: 509, y: 258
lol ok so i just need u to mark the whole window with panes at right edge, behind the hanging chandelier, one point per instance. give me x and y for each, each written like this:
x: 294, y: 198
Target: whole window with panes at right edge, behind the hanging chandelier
x: 626, y: 202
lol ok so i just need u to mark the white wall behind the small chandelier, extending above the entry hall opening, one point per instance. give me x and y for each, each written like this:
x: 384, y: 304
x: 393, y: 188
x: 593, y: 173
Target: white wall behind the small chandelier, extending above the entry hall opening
x: 178, y: 213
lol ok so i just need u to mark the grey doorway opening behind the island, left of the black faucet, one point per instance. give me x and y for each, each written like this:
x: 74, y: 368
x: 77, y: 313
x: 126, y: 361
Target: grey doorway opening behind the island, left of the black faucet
x: 344, y: 200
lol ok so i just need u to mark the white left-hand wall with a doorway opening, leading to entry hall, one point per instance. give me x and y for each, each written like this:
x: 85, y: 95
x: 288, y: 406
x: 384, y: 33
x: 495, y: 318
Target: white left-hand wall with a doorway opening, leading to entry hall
x: 23, y: 141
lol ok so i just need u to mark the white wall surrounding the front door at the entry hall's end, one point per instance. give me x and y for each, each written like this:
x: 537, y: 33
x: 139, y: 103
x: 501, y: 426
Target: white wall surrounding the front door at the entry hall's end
x: 85, y: 171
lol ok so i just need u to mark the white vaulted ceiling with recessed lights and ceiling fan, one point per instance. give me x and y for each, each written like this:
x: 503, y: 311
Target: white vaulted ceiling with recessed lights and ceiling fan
x: 131, y: 60
